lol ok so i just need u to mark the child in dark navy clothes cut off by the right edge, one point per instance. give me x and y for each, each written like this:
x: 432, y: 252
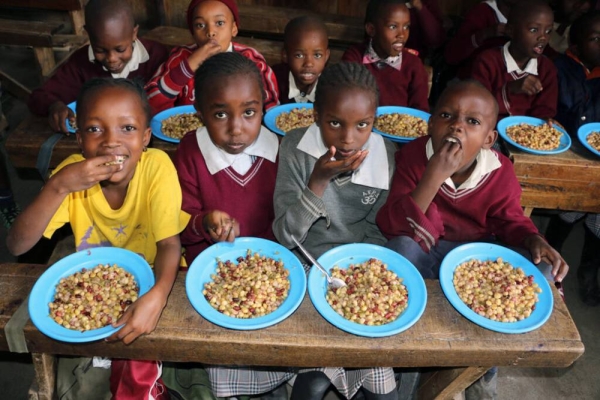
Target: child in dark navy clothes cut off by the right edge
x: 578, y: 104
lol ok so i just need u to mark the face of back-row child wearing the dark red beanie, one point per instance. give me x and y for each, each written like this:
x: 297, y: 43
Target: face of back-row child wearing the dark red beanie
x: 213, y: 20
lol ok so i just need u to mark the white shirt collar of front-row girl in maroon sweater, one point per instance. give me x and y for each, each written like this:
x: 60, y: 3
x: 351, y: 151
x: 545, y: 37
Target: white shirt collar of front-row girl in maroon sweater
x: 266, y: 146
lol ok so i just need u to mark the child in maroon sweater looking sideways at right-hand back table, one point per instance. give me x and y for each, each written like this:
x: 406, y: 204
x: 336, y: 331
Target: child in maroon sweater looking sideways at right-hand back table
x: 522, y: 79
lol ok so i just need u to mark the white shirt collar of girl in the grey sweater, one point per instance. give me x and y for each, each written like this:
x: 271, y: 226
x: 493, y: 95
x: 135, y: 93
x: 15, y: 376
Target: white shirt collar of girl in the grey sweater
x: 373, y: 172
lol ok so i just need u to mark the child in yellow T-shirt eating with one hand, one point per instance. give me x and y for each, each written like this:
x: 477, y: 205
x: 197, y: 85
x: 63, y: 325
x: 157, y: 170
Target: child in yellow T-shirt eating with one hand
x: 116, y: 193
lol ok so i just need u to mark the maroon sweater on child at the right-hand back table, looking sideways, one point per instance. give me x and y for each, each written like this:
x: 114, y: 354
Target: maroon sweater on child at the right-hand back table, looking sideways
x: 490, y: 69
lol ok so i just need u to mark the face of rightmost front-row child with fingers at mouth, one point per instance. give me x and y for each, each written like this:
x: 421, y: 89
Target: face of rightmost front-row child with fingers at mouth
x: 465, y: 116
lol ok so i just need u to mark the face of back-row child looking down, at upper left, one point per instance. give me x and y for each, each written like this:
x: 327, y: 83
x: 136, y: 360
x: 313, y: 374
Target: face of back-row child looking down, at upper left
x: 112, y: 43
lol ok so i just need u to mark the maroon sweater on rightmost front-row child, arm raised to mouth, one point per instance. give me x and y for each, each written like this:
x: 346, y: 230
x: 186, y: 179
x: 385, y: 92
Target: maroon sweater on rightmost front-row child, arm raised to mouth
x: 491, y: 208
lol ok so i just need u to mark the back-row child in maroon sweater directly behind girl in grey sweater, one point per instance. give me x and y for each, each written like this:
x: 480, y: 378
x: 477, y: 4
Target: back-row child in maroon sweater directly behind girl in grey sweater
x: 400, y: 75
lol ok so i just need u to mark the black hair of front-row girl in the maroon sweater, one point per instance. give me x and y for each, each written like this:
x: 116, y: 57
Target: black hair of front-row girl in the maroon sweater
x: 222, y: 65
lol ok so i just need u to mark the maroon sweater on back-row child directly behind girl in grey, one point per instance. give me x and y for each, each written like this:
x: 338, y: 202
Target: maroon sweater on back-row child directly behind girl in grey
x: 405, y: 87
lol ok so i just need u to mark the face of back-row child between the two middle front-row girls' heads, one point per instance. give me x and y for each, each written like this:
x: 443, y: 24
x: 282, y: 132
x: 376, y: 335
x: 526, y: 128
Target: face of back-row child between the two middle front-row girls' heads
x: 306, y: 54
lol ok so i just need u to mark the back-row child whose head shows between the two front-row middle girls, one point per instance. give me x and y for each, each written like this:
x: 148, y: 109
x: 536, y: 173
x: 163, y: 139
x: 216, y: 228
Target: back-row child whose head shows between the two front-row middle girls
x: 305, y: 53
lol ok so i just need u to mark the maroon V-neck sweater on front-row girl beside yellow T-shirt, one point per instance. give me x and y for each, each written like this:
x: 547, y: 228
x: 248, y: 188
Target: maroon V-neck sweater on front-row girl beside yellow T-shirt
x: 248, y: 198
